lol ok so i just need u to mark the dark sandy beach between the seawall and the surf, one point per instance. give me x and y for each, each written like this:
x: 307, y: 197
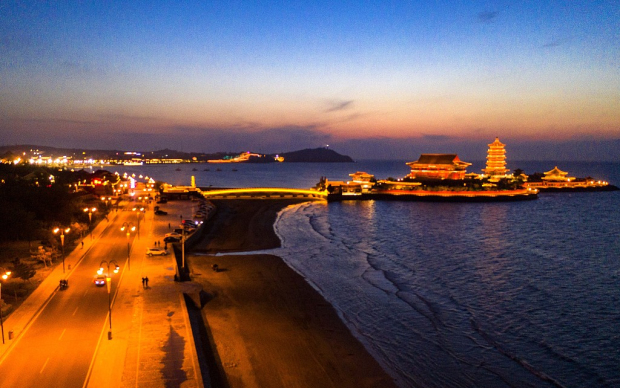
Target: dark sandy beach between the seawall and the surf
x: 269, y: 327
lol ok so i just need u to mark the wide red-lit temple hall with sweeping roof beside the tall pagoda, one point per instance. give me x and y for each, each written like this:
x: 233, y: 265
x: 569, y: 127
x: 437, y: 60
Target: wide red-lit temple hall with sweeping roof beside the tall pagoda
x: 438, y: 166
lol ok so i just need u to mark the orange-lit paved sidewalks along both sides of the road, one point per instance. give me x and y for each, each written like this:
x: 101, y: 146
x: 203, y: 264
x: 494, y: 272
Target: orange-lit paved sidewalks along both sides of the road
x: 151, y: 343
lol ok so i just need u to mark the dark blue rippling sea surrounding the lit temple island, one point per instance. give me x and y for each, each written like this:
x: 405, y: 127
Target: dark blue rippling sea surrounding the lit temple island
x: 522, y: 294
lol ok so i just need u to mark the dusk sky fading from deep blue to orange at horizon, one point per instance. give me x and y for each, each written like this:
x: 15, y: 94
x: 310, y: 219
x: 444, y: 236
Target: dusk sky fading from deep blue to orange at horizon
x: 373, y: 79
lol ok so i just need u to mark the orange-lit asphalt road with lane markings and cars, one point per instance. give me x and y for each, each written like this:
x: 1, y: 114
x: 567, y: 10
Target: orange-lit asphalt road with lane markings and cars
x: 58, y: 348
